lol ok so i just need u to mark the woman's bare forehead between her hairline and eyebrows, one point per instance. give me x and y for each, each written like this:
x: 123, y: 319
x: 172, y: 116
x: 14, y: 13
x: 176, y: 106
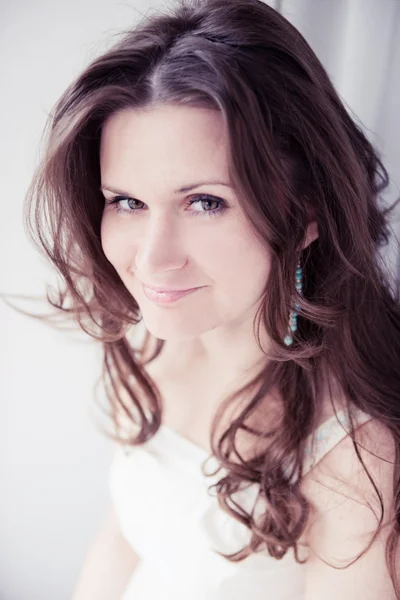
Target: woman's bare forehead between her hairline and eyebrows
x: 169, y: 143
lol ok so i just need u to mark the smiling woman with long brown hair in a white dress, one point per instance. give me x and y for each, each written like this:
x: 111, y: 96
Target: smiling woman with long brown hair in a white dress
x: 207, y: 151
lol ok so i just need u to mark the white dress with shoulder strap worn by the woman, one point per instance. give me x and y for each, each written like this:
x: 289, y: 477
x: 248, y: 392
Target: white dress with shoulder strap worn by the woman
x: 166, y: 513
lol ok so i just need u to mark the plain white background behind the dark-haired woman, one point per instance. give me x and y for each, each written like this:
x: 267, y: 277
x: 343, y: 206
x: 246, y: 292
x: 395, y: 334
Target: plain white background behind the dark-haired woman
x: 54, y: 461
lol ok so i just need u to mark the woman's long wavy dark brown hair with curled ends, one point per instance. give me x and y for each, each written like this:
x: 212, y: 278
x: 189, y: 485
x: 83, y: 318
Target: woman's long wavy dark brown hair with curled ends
x: 289, y: 134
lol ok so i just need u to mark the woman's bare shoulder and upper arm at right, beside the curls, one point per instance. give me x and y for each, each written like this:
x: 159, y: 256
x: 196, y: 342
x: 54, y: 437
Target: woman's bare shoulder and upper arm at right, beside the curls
x: 345, y: 514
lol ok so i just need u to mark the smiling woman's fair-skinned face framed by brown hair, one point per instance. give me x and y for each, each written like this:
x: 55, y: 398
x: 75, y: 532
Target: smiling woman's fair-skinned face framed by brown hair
x: 169, y: 238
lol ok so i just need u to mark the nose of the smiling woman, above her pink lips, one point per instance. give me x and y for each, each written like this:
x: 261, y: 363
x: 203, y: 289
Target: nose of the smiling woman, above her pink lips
x: 159, y: 248
